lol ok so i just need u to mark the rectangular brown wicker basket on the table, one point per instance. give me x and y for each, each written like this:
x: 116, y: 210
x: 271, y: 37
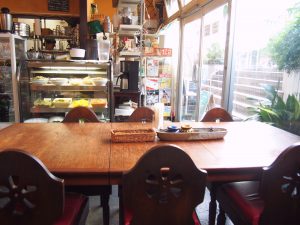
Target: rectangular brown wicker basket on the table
x: 138, y: 135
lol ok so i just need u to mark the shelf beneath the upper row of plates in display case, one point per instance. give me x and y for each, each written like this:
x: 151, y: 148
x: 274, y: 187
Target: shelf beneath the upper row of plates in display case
x: 67, y: 88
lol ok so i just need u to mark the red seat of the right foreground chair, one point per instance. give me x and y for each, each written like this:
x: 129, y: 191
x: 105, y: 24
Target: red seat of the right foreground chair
x: 243, y: 199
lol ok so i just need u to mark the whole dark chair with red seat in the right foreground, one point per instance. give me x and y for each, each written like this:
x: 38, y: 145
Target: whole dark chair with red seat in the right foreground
x: 273, y: 200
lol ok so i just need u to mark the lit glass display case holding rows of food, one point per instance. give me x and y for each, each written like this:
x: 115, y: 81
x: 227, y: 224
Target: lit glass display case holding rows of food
x: 56, y: 87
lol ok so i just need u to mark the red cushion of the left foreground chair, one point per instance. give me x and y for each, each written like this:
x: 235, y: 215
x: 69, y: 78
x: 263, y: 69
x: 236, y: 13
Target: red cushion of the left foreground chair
x: 74, y: 204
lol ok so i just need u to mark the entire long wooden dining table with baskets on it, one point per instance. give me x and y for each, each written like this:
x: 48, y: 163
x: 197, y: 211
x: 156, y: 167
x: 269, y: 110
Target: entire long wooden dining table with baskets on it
x: 83, y: 153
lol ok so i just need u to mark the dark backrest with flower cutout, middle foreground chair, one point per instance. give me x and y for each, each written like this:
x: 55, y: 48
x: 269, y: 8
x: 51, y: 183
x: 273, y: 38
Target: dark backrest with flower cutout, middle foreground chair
x: 164, y: 187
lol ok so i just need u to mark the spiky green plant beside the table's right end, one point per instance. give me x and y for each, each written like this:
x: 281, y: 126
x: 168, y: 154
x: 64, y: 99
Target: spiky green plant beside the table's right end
x: 279, y: 113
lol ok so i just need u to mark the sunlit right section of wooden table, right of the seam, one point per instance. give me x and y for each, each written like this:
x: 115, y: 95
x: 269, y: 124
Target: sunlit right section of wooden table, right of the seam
x: 247, y: 147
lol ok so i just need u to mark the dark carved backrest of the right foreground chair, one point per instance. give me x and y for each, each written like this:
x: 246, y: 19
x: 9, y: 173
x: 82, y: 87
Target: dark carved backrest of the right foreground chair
x: 280, y: 188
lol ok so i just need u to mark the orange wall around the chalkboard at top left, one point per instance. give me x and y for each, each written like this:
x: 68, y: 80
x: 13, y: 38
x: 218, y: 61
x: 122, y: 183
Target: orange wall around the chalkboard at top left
x: 38, y: 7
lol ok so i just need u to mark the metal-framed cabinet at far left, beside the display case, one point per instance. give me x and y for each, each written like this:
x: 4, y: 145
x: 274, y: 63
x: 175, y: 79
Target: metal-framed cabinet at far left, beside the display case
x: 12, y: 62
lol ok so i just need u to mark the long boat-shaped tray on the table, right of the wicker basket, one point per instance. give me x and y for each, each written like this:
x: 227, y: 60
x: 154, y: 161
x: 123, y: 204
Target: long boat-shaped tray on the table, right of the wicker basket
x: 195, y: 134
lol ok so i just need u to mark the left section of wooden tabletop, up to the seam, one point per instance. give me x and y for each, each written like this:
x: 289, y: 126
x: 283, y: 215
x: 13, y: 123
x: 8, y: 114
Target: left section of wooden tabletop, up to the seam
x: 79, y: 153
